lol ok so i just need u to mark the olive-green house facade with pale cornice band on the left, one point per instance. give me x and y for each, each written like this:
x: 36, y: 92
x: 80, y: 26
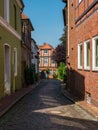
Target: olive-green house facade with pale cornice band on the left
x: 10, y: 46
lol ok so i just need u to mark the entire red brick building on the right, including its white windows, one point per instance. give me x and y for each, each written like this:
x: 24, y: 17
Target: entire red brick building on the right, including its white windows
x: 81, y: 20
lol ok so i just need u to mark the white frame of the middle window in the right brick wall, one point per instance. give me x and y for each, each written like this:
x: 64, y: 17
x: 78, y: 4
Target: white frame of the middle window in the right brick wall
x: 85, y: 55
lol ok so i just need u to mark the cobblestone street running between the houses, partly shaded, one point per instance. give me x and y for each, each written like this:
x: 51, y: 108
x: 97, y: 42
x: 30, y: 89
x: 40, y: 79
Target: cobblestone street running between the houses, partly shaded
x: 45, y: 108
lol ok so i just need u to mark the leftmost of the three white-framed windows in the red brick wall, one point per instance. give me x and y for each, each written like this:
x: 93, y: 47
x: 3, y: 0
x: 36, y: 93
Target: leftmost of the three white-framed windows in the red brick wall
x: 80, y: 56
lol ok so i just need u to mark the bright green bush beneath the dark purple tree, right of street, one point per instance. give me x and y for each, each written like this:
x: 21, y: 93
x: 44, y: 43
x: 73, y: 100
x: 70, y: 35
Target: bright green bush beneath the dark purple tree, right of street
x: 62, y: 72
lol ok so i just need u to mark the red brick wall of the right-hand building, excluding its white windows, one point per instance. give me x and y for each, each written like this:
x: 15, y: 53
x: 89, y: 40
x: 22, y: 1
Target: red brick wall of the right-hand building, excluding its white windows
x: 82, y: 26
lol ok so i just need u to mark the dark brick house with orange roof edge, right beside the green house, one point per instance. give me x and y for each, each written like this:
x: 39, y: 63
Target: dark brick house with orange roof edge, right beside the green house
x: 26, y: 44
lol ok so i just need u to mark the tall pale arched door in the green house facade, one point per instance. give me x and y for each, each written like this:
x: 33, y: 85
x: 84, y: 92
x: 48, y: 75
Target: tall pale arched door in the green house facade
x: 7, y: 78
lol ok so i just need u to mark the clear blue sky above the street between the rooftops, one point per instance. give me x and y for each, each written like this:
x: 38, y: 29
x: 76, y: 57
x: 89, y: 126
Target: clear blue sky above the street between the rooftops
x: 47, y: 19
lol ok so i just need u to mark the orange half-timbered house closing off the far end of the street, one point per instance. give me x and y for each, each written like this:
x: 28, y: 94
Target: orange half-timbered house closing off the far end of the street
x: 46, y: 61
